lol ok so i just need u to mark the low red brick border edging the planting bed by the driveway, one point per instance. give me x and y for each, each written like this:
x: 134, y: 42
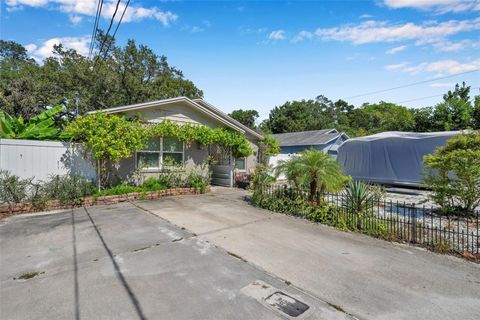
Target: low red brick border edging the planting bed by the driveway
x: 20, y: 208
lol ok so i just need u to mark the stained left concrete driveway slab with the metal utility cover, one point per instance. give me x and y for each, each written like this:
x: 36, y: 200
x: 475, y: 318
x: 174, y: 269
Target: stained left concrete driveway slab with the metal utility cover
x: 122, y: 262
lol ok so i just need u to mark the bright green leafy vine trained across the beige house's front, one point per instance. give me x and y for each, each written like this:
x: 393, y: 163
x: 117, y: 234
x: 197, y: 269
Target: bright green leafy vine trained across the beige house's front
x: 112, y: 137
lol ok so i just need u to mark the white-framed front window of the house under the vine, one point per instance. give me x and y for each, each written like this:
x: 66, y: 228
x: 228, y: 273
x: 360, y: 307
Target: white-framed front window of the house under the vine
x: 159, y: 152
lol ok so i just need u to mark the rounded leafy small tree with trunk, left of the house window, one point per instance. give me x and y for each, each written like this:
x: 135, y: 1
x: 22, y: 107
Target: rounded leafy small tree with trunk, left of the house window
x: 107, y: 139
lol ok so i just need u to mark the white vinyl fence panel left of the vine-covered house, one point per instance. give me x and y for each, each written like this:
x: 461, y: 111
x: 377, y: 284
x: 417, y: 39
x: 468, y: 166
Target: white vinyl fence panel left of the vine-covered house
x: 41, y: 159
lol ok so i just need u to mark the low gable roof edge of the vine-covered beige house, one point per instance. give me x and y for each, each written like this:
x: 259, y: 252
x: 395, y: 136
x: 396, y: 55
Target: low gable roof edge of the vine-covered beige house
x: 198, y: 104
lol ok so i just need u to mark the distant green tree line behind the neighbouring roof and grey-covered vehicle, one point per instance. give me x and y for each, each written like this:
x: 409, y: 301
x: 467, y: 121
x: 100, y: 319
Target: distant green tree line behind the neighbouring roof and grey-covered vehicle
x: 457, y: 111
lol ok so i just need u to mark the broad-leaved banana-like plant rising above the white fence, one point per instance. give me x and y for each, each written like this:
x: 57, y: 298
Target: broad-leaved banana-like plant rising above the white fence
x: 41, y: 127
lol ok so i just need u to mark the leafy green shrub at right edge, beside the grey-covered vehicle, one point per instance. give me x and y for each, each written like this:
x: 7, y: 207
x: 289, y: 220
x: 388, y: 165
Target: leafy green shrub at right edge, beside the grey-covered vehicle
x: 455, y: 175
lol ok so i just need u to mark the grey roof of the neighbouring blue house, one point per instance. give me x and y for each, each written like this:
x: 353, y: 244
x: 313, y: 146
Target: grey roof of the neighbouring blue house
x: 307, y: 138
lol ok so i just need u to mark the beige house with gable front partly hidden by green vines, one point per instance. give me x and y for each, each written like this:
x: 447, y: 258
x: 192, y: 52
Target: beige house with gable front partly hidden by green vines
x: 183, y: 110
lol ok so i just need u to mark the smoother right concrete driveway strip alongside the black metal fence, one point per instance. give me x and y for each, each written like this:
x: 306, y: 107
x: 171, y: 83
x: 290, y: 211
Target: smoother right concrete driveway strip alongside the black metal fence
x: 366, y: 277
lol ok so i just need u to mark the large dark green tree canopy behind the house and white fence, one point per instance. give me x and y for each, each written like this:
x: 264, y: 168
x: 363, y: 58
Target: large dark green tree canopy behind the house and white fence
x: 116, y: 76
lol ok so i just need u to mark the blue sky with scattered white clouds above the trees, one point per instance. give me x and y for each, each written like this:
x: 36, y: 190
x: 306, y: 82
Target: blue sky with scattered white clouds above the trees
x: 260, y: 54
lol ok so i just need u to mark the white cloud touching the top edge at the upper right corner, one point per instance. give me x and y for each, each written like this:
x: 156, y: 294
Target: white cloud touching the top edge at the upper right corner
x: 438, y: 6
